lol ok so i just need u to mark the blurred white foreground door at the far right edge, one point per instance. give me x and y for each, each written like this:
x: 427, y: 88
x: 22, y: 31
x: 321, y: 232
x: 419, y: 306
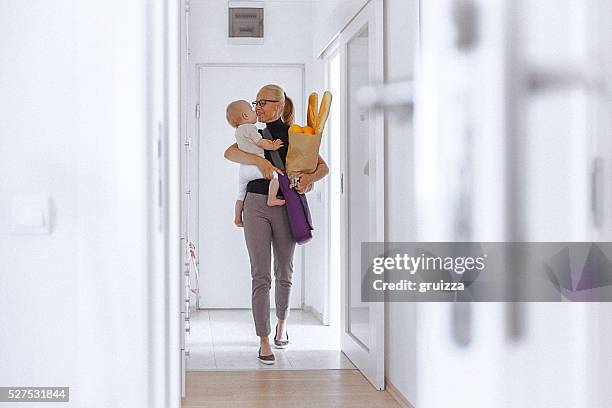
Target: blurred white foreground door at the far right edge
x: 553, y: 138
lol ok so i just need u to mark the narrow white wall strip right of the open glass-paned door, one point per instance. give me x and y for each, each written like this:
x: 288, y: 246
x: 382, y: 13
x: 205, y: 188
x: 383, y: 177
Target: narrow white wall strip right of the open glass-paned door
x: 401, y: 32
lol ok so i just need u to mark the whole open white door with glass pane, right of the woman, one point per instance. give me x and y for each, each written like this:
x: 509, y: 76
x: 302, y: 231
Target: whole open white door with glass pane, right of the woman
x: 362, y: 183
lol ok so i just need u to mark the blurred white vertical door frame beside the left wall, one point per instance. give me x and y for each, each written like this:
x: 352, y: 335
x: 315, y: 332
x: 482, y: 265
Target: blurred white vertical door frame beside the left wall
x: 162, y: 201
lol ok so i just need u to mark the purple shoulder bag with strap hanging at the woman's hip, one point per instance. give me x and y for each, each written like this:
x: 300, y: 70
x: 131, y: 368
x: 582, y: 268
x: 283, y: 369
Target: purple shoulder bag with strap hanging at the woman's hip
x: 300, y: 220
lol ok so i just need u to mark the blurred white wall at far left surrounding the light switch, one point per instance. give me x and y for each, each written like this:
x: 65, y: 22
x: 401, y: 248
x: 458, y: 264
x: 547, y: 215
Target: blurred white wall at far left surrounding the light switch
x: 72, y: 102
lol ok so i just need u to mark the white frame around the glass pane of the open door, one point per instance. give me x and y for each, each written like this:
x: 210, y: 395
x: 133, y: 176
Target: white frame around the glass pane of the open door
x: 370, y: 361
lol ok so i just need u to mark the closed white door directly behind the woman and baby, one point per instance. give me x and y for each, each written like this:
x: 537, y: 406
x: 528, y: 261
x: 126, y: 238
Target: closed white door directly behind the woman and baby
x: 225, y: 274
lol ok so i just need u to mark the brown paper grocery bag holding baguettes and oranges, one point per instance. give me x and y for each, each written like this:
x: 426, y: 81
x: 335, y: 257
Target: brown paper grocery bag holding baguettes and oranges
x: 303, y: 153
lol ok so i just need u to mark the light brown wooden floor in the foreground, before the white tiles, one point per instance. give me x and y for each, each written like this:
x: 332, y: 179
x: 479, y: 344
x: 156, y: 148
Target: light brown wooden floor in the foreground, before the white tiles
x: 290, y: 389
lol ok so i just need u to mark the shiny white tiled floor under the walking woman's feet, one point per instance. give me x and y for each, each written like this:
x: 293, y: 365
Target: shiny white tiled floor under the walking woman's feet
x: 225, y: 340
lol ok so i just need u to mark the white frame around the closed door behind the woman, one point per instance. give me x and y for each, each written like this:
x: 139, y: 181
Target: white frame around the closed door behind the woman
x: 194, y: 188
